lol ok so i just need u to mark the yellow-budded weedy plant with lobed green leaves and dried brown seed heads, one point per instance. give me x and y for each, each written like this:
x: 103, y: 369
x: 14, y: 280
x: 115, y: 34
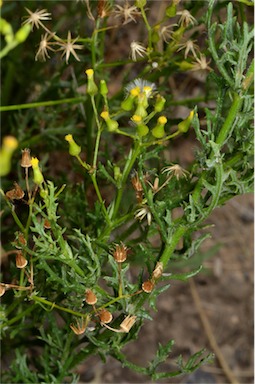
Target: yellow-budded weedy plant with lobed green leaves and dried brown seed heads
x: 70, y: 292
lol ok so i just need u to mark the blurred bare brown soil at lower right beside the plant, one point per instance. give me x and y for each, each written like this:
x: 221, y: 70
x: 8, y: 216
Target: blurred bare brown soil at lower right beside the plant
x: 225, y: 291
